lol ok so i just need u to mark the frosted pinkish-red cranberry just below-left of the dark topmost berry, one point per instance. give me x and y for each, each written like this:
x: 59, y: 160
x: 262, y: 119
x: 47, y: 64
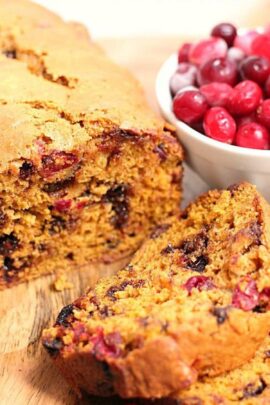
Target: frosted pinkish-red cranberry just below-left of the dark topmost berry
x: 207, y: 49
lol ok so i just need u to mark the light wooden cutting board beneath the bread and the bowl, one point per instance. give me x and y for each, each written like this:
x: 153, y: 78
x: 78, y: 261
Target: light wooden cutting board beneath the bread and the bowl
x: 26, y: 374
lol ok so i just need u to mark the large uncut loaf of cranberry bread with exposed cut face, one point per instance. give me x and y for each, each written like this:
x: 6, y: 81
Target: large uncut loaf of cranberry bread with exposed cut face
x: 86, y: 169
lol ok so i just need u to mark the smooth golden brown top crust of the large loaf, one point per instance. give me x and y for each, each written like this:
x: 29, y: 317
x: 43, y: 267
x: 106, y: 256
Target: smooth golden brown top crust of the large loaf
x: 50, y: 69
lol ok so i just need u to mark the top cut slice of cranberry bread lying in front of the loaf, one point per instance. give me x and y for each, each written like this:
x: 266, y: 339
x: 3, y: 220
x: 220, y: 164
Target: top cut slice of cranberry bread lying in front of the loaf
x: 193, y: 302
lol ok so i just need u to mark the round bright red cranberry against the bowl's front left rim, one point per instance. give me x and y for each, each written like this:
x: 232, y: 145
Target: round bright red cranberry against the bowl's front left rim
x: 189, y: 106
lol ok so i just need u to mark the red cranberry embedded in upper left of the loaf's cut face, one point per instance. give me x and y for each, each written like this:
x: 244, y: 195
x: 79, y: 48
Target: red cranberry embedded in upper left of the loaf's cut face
x: 56, y: 161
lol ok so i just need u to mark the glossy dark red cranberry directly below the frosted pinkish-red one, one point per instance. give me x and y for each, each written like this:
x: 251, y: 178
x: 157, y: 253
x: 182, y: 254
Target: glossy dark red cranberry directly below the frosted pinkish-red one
x: 218, y: 70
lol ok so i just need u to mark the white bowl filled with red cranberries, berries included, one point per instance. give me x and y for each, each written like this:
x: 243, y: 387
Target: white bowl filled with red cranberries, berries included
x: 216, y: 92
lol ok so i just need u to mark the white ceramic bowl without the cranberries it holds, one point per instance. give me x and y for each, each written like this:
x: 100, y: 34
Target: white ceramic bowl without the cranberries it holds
x: 217, y: 163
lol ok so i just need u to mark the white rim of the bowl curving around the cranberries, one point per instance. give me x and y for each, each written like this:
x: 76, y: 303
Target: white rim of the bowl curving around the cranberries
x: 162, y: 92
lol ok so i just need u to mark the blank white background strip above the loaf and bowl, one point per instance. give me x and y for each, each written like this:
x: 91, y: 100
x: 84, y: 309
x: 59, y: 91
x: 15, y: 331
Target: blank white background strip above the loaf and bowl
x: 116, y: 18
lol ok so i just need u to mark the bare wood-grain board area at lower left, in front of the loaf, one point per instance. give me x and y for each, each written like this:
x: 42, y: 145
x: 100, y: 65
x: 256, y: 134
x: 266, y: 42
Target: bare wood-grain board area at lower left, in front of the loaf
x: 26, y: 373
